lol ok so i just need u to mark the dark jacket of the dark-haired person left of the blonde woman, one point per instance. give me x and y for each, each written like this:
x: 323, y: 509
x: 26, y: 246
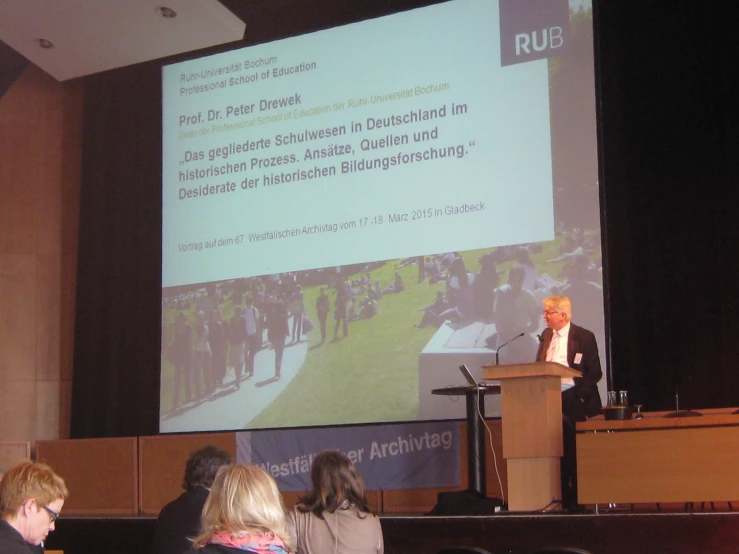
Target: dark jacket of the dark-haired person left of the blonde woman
x: 179, y: 520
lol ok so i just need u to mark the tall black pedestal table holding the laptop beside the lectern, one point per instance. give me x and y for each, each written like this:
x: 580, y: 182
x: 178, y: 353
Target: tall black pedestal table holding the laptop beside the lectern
x: 475, y: 402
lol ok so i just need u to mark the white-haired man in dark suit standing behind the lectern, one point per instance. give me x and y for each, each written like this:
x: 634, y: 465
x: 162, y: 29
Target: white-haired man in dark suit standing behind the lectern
x: 573, y: 346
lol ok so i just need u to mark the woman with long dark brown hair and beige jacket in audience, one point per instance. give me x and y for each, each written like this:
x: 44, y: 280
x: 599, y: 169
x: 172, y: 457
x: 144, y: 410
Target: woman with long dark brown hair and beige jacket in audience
x: 335, y: 516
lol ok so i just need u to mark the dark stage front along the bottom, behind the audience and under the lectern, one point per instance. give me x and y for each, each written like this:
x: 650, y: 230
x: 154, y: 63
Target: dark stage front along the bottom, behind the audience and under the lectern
x: 616, y: 532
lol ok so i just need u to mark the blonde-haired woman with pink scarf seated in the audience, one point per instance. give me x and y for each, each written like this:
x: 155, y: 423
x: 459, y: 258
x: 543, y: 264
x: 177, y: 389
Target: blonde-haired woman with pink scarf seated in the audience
x: 244, y: 513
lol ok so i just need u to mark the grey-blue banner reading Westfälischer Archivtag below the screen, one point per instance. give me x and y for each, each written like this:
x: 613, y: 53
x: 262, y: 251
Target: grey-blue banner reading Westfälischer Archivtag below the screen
x: 403, y: 456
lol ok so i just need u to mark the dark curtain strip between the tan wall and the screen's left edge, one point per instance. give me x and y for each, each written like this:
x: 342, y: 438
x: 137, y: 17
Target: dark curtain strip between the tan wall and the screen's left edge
x: 117, y: 335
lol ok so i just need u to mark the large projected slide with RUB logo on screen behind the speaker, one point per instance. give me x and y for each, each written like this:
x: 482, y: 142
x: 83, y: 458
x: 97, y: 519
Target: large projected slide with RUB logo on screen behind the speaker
x: 349, y: 215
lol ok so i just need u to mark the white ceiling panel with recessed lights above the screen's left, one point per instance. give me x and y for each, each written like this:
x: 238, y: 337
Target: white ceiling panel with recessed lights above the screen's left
x: 90, y: 36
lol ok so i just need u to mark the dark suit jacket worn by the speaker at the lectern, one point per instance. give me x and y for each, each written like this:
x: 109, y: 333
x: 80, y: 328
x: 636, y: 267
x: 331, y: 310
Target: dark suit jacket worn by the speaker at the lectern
x: 579, y: 341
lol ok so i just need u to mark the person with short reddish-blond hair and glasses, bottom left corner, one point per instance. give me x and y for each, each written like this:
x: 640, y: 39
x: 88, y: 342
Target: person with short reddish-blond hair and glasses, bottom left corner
x: 31, y: 497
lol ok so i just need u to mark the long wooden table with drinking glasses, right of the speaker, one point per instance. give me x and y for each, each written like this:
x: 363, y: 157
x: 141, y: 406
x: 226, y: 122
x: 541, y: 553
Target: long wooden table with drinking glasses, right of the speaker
x: 659, y: 459
